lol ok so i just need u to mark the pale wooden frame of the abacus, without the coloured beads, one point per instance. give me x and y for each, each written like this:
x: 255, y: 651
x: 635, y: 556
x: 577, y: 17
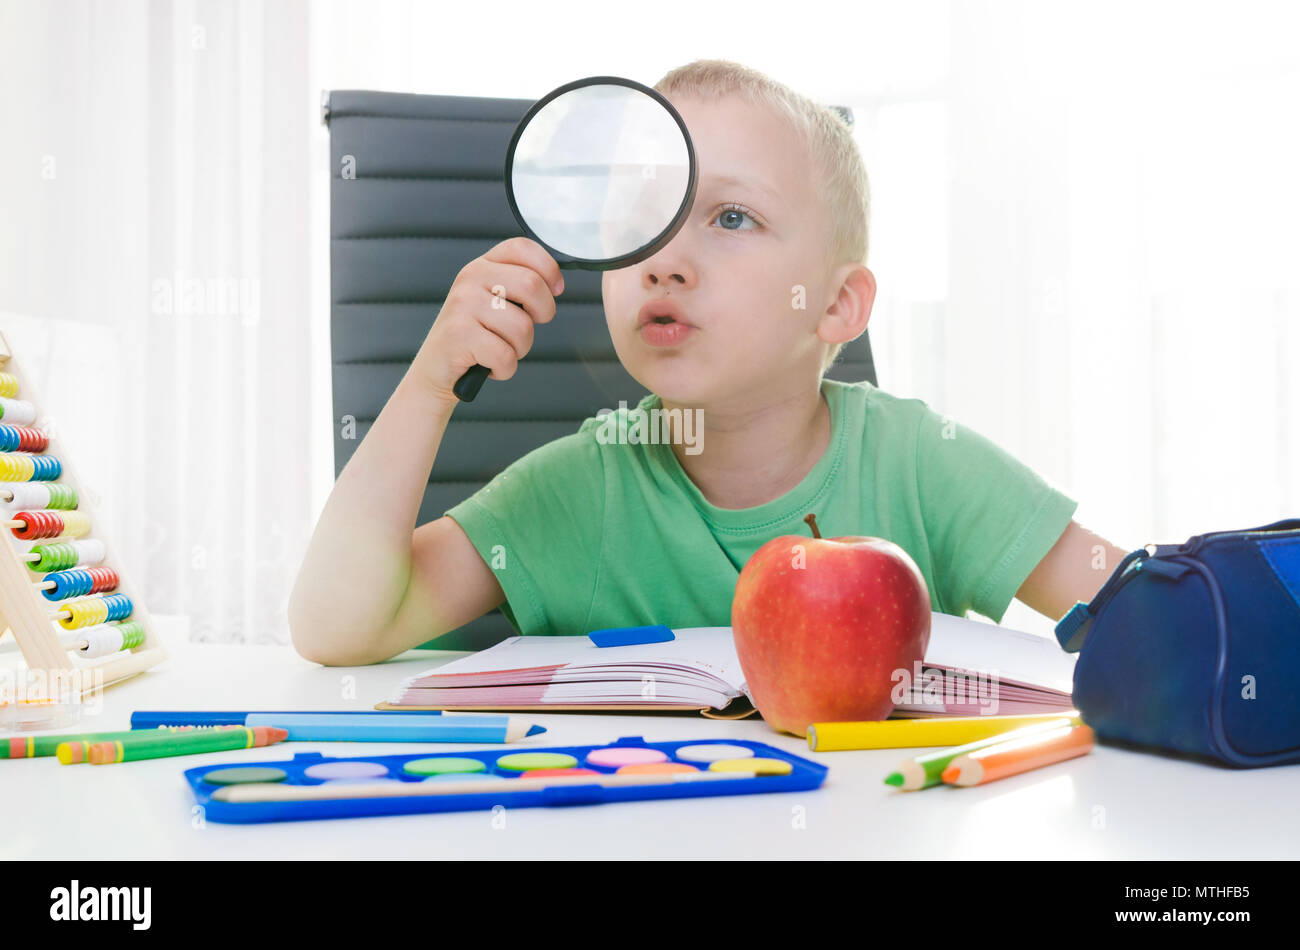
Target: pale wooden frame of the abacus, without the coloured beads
x: 23, y: 608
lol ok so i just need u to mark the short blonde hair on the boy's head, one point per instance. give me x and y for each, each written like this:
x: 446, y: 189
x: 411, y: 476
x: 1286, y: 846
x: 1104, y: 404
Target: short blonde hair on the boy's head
x: 840, y: 171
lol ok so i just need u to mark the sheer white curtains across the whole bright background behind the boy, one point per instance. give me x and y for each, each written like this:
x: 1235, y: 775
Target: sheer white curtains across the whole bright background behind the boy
x: 1084, y: 233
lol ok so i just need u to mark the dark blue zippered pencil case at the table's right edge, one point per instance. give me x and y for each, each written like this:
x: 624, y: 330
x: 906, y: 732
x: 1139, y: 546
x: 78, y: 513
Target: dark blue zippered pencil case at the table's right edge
x: 1195, y: 648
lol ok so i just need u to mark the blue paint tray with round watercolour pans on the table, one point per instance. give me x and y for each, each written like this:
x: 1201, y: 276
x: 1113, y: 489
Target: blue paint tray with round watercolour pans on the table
x: 320, y: 787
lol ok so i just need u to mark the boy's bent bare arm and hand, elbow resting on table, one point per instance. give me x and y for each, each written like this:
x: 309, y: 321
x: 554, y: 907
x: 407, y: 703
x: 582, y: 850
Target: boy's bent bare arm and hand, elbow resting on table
x: 372, y: 584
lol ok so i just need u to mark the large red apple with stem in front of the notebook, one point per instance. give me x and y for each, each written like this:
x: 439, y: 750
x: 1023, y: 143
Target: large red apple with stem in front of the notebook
x: 822, y: 624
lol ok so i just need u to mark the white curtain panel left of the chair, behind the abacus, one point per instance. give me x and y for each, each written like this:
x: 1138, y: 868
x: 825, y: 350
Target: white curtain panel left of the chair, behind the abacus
x: 157, y: 246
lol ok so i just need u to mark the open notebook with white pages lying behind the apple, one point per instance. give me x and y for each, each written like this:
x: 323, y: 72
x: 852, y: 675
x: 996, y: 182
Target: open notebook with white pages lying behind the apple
x: 972, y: 669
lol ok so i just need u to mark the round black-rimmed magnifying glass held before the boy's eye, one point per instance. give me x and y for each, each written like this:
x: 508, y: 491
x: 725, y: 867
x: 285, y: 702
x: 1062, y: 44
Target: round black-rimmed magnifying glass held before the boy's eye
x: 601, y: 173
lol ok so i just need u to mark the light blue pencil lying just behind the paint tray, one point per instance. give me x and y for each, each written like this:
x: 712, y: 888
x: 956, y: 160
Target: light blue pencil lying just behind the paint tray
x: 384, y: 727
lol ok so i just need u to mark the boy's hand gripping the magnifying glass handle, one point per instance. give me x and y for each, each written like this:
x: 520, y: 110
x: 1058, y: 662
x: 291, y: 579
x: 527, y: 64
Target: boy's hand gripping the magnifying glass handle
x: 489, y: 314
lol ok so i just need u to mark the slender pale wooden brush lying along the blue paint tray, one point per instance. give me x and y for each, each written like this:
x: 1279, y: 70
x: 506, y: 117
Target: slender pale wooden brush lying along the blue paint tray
x: 258, y: 792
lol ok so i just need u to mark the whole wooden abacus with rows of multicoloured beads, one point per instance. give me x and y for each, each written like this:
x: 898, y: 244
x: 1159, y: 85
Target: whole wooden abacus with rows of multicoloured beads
x: 62, y: 592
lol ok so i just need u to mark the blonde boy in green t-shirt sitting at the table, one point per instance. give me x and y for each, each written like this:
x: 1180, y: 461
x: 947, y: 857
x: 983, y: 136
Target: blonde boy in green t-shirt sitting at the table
x: 734, y: 322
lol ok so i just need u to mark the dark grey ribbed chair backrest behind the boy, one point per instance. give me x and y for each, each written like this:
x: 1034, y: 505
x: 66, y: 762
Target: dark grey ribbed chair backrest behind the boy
x: 417, y: 193
